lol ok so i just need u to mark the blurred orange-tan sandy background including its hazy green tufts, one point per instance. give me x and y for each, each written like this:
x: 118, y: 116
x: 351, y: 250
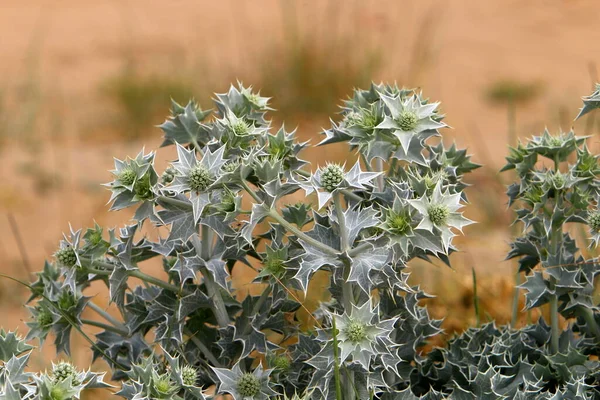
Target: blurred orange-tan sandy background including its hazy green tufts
x: 83, y: 81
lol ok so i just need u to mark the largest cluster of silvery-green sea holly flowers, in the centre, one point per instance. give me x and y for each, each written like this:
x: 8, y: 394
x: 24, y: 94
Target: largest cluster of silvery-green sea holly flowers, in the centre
x: 400, y: 201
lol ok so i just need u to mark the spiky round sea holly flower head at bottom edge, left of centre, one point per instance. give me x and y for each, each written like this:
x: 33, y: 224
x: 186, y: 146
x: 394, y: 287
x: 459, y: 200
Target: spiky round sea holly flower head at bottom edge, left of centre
x: 245, y: 385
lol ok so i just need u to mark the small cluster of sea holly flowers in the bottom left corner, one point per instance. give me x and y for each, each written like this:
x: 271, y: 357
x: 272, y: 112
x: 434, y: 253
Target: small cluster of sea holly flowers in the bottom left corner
x: 63, y: 382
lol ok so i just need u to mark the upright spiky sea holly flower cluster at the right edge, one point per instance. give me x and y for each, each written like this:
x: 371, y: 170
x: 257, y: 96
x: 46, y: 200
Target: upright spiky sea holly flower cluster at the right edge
x: 551, y: 194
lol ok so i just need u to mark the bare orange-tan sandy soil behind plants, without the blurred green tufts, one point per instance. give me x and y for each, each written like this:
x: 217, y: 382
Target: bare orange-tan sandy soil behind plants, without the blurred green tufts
x: 453, y: 49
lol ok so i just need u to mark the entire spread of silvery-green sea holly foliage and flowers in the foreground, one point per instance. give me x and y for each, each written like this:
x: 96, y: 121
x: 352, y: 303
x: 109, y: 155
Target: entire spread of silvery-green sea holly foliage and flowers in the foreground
x: 182, y: 327
